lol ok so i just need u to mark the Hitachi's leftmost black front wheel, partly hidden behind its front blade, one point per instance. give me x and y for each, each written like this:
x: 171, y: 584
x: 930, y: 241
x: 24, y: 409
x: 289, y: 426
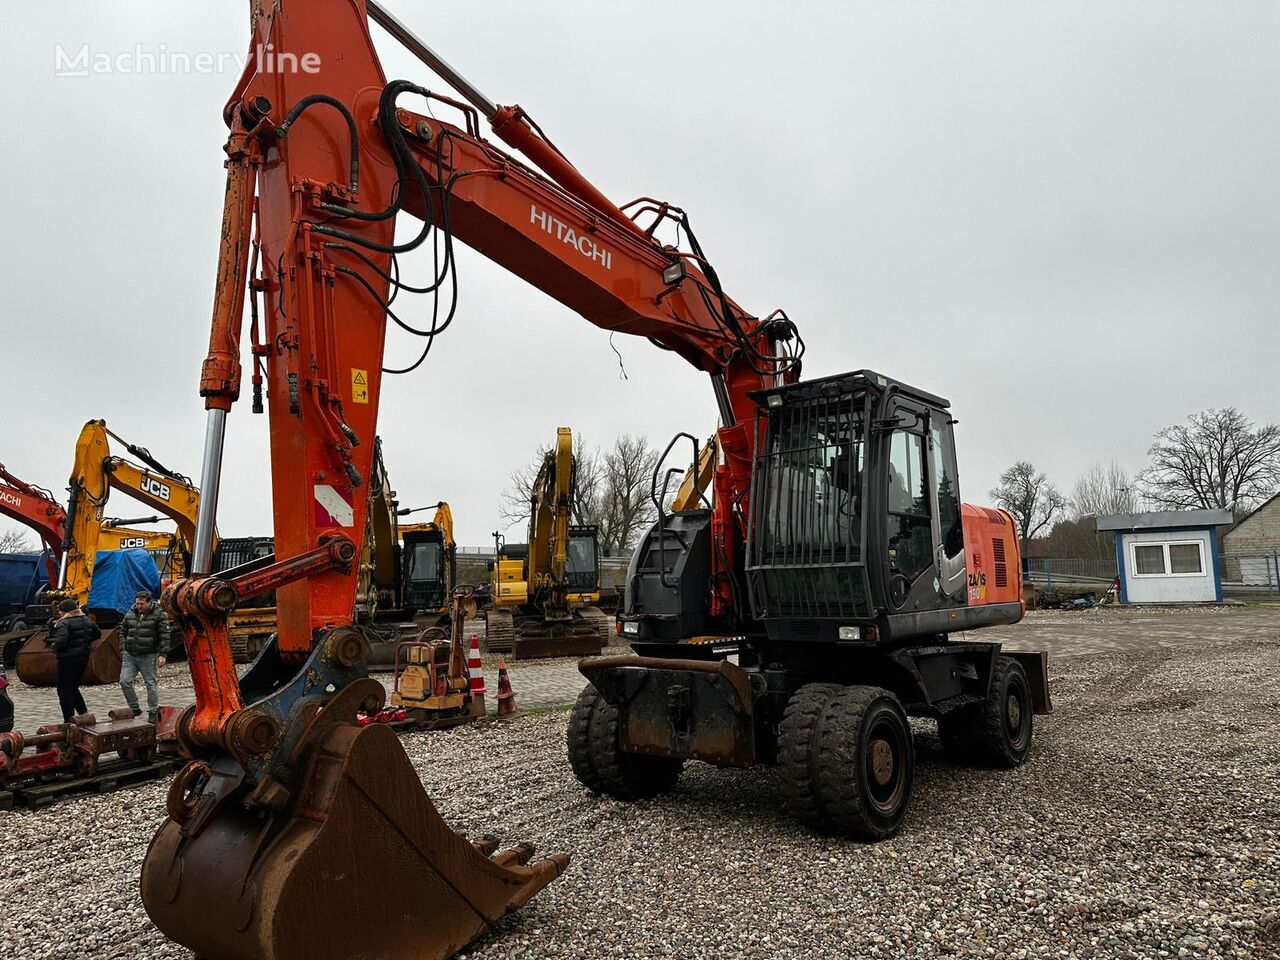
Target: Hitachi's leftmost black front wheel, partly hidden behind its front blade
x: 601, y: 766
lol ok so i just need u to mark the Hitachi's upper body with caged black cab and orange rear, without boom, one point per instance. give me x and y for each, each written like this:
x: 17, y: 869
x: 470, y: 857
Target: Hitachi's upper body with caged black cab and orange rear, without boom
x: 856, y: 533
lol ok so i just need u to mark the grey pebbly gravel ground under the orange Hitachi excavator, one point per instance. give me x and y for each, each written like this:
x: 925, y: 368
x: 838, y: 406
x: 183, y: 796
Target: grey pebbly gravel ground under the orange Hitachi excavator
x: 1148, y: 825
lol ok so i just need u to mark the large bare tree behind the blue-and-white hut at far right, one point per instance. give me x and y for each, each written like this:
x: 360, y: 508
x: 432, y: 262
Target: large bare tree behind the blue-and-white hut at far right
x: 1214, y: 461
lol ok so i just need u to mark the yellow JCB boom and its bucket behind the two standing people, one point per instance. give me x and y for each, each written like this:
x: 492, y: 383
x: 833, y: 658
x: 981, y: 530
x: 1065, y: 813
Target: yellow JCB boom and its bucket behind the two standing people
x: 95, y: 473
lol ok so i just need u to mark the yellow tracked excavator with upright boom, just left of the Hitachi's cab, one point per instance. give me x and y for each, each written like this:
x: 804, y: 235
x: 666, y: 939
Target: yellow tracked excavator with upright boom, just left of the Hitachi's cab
x: 543, y: 593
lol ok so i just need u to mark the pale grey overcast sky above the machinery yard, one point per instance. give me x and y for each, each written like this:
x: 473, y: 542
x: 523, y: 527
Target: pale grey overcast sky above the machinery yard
x: 1064, y: 217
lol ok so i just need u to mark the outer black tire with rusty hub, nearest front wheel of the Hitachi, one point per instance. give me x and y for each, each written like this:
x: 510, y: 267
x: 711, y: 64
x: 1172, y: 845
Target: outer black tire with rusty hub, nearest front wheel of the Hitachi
x: 866, y: 762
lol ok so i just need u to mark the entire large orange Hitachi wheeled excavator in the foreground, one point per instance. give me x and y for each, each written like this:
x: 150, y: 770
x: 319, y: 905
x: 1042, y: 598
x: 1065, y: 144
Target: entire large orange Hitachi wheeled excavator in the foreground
x: 830, y: 570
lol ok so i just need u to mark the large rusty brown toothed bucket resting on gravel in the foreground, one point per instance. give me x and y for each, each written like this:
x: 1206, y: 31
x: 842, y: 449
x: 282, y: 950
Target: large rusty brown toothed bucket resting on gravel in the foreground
x: 358, y: 863
